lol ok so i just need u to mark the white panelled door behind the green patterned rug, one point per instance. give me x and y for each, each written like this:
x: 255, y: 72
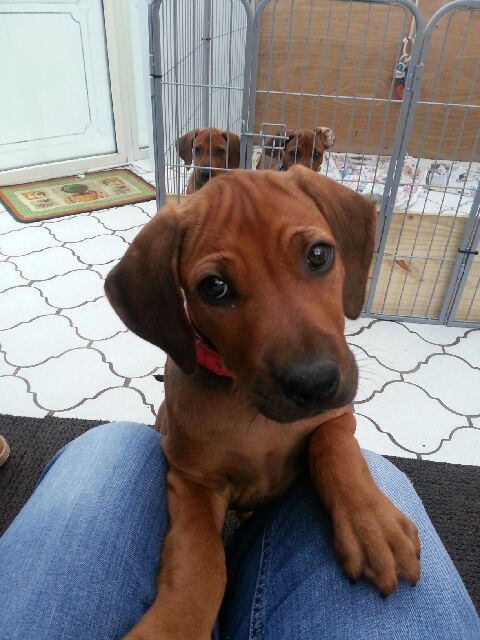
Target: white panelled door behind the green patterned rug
x: 60, y: 89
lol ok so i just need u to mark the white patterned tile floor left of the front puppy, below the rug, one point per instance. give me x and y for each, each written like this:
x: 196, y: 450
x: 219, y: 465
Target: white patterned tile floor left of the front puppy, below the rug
x: 63, y: 351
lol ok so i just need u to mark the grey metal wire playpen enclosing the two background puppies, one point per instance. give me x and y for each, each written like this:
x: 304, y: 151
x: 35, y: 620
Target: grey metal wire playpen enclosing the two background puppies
x: 399, y: 84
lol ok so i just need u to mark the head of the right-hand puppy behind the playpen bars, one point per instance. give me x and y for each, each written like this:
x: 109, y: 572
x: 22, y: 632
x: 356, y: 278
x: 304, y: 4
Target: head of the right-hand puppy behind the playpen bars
x: 306, y: 147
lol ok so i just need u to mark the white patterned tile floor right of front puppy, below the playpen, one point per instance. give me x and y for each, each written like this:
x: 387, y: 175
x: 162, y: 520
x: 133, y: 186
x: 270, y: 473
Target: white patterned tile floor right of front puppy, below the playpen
x: 425, y: 395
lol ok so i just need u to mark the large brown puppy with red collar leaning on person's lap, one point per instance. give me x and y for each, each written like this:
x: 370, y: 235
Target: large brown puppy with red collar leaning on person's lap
x: 267, y: 281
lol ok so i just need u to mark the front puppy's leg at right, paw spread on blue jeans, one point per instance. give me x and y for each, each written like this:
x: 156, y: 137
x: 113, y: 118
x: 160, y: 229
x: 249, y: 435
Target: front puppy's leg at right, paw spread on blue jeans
x: 371, y: 536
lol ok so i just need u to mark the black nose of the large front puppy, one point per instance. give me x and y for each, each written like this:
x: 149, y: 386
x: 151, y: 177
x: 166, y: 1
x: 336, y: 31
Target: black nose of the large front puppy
x: 308, y: 384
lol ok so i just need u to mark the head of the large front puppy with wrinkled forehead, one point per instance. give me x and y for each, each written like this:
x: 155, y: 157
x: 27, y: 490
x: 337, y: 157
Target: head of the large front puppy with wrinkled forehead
x: 267, y: 281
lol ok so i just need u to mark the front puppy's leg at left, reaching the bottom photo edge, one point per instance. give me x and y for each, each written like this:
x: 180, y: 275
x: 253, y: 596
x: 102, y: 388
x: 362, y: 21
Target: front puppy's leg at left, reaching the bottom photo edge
x: 192, y: 576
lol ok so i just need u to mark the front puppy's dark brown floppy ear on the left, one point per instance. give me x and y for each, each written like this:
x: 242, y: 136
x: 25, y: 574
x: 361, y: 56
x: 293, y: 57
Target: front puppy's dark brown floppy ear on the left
x: 144, y: 289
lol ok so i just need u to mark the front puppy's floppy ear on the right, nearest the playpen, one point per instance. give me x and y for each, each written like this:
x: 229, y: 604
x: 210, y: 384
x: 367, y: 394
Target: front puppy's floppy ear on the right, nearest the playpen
x: 352, y: 219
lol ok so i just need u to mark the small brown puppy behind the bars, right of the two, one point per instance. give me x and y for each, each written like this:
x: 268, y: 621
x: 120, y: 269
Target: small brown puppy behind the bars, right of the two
x: 305, y: 147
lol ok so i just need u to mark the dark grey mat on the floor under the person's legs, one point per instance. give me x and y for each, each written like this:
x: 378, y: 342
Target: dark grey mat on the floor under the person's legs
x: 450, y: 493
